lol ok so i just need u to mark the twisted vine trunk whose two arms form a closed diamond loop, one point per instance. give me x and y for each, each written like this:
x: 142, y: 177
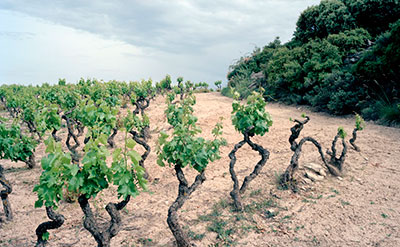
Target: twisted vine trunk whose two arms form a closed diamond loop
x: 236, y: 192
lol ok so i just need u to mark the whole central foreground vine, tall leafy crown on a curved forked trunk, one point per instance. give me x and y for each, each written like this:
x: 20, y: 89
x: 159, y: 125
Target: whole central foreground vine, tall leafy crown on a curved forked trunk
x: 185, y: 149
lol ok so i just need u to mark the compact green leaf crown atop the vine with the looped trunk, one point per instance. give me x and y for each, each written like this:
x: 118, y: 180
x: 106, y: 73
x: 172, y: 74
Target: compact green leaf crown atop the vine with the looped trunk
x: 251, y: 117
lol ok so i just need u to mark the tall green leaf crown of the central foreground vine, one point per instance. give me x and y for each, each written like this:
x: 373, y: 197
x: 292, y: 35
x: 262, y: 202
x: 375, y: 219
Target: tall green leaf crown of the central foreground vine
x: 184, y: 148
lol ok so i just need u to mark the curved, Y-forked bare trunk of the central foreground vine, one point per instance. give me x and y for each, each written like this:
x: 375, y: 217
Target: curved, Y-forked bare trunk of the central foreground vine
x: 184, y: 192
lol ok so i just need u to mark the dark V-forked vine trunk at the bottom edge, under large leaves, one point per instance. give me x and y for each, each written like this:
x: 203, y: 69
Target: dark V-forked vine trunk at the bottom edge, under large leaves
x: 103, y: 235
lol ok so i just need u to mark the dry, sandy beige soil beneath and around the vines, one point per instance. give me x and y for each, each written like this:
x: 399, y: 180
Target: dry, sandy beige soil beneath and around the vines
x: 360, y: 209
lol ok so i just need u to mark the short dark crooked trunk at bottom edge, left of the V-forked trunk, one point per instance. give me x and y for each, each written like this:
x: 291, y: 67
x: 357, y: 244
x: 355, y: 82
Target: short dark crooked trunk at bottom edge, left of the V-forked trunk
x: 56, y: 221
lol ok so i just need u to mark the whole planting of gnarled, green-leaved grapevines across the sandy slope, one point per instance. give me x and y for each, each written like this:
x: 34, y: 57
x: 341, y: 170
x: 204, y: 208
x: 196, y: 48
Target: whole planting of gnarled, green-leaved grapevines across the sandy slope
x: 76, y: 167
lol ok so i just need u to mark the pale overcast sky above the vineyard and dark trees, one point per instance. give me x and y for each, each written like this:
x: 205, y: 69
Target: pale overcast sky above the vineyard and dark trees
x: 41, y: 41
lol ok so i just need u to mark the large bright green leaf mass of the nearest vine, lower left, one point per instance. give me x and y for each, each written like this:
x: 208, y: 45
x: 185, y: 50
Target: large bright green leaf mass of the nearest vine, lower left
x: 93, y: 175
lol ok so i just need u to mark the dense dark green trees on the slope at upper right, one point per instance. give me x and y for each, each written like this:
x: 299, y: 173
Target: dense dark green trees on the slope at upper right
x: 344, y: 57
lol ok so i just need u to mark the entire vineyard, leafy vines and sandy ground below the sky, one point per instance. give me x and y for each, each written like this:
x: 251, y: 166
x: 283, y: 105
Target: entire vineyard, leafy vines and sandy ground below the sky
x: 144, y: 164
